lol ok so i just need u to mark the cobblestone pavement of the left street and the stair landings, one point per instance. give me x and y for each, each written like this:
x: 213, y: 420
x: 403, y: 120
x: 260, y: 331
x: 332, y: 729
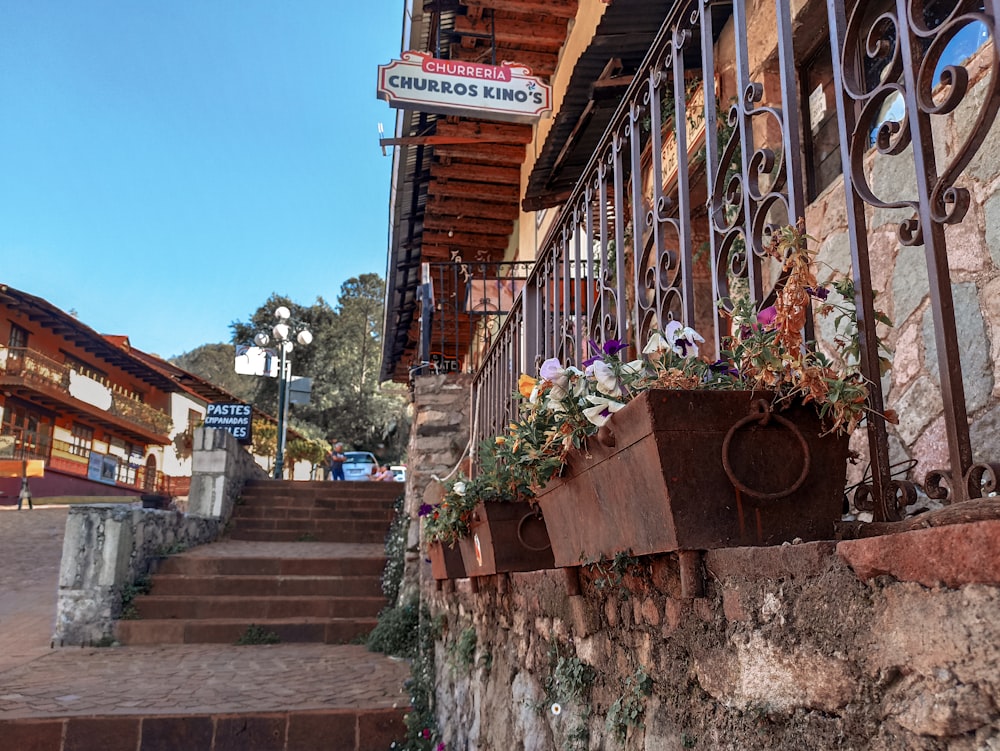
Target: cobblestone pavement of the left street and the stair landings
x: 38, y: 681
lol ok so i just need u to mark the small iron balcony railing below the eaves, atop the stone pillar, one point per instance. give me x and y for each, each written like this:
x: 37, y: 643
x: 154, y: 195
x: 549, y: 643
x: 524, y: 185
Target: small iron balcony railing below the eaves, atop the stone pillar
x: 462, y: 309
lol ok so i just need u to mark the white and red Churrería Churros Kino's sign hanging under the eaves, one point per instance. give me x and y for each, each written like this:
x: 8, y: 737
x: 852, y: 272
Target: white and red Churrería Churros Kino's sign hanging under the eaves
x: 498, y: 92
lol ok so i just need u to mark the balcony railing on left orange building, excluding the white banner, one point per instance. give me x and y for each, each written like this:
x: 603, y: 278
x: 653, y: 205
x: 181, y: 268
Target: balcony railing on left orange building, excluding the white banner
x: 41, y: 371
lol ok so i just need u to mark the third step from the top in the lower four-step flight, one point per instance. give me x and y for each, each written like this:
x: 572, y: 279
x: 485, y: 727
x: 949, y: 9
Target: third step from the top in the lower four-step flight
x: 258, y: 608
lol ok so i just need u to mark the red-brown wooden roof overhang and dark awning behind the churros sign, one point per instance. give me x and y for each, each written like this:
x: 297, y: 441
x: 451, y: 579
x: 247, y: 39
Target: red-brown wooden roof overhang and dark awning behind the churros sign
x: 457, y: 180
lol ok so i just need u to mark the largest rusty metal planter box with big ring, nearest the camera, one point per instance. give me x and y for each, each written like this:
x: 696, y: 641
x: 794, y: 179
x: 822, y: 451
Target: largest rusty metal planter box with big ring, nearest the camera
x: 655, y: 480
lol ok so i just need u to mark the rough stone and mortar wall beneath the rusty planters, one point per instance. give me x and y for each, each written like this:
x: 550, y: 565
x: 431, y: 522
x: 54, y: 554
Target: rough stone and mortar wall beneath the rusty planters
x: 878, y: 644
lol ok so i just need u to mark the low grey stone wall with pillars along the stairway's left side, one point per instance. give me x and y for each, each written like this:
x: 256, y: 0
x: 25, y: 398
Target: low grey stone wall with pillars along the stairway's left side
x: 109, y: 547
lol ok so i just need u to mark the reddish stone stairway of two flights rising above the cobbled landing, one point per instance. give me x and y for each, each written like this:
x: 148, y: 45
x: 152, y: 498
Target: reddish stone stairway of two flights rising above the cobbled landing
x: 303, y: 563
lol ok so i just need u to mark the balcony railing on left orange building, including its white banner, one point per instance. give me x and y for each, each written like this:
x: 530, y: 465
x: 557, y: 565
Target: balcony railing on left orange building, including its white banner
x: 41, y: 372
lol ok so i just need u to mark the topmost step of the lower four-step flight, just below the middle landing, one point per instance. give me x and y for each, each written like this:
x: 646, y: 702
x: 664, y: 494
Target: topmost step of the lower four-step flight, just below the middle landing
x: 193, y: 565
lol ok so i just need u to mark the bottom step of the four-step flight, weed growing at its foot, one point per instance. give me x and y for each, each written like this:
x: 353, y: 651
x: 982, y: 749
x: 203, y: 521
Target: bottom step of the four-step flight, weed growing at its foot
x: 229, y: 631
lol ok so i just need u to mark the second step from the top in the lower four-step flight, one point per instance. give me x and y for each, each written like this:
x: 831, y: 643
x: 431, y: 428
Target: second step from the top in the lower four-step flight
x: 265, y: 586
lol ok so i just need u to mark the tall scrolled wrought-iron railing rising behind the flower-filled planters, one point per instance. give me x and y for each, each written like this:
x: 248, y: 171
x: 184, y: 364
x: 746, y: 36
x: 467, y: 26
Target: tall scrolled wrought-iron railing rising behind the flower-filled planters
x: 670, y: 216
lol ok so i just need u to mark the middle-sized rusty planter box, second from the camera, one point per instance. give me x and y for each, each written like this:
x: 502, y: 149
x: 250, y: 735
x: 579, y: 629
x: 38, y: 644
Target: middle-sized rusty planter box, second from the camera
x: 505, y: 537
